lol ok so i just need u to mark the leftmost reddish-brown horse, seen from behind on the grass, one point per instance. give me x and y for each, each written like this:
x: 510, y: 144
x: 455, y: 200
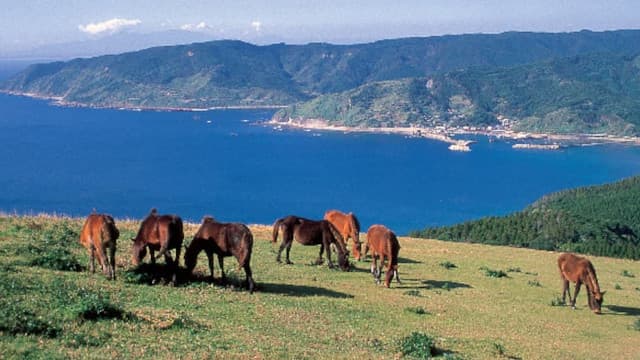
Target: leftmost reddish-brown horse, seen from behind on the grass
x: 98, y: 234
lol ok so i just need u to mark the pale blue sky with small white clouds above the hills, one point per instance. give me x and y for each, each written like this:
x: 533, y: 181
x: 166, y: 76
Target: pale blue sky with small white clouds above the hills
x: 26, y: 24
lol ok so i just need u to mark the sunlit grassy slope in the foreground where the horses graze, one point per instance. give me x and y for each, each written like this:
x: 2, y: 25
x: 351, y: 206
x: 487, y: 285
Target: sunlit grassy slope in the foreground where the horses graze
x: 302, y: 310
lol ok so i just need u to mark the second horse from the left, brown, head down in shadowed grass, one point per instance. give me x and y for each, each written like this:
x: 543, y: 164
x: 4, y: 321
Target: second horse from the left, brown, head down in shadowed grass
x: 159, y: 232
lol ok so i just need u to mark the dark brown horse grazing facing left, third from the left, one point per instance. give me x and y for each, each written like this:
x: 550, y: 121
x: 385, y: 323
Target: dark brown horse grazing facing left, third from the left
x: 224, y: 240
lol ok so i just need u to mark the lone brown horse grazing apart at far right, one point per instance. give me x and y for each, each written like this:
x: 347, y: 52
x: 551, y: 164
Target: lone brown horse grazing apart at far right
x: 580, y: 270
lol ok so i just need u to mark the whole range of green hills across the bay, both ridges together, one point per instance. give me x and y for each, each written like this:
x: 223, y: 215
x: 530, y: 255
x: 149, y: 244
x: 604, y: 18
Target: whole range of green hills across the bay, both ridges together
x: 453, y: 79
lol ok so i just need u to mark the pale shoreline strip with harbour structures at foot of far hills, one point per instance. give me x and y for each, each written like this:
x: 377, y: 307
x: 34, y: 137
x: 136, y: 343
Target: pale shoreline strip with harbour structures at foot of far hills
x: 525, y: 140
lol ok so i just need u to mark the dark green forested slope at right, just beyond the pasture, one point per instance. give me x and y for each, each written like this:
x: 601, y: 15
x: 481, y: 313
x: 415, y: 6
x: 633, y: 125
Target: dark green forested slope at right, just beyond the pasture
x: 600, y: 220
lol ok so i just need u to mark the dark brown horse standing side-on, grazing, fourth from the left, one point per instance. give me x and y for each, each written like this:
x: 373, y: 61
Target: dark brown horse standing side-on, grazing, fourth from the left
x: 311, y: 232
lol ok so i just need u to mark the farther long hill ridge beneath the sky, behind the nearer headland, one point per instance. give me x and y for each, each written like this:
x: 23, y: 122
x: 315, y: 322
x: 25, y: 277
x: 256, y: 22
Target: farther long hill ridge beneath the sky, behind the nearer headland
x: 233, y: 73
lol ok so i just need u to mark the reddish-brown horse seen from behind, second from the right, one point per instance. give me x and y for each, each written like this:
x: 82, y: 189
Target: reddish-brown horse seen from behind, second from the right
x: 383, y: 244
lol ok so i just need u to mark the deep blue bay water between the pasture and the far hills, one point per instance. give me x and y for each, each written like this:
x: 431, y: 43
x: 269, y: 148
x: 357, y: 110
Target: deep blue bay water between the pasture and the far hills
x: 227, y: 164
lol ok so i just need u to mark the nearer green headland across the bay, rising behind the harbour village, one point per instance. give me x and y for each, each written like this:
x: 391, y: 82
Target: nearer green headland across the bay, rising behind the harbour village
x: 596, y: 93
